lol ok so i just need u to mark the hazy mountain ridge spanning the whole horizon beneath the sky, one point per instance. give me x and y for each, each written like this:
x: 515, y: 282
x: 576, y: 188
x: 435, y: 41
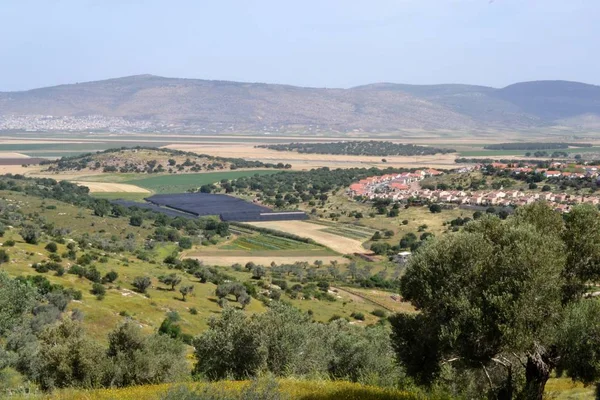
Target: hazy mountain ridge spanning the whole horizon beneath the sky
x: 152, y: 103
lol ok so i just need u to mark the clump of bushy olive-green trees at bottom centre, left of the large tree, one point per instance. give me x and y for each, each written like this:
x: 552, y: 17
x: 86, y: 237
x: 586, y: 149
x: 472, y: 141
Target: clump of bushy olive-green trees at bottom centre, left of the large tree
x: 286, y: 342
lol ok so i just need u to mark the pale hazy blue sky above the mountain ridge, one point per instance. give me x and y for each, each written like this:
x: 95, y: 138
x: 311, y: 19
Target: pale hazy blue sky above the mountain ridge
x: 324, y: 43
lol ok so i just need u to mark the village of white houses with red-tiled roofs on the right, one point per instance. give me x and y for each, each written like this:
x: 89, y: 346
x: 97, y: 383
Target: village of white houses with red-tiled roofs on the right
x: 405, y: 187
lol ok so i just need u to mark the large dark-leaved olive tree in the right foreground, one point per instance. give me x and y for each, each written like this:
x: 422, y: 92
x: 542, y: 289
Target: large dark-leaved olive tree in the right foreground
x: 498, y: 294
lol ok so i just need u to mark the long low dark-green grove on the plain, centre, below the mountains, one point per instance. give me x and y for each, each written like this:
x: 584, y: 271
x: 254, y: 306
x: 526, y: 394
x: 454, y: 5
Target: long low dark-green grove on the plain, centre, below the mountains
x: 360, y: 148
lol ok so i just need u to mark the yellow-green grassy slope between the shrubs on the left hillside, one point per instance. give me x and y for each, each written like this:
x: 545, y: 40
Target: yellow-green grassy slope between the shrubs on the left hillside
x: 102, y: 316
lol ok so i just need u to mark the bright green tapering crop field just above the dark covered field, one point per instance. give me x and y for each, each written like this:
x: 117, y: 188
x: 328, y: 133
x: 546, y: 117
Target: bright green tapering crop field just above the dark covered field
x: 182, y: 183
